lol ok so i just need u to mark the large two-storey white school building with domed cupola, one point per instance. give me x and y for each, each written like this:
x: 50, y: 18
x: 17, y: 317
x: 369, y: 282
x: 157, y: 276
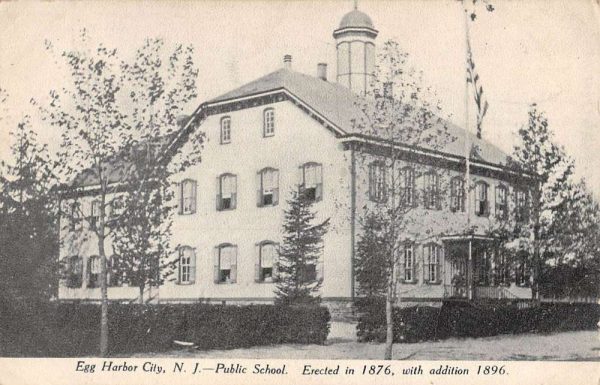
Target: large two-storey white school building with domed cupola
x: 287, y: 130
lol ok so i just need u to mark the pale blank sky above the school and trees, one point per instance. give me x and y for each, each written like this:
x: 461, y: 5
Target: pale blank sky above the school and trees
x: 545, y: 52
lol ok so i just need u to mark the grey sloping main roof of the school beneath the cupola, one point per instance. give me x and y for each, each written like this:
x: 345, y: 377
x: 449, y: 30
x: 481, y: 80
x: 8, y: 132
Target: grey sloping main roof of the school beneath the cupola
x: 339, y: 105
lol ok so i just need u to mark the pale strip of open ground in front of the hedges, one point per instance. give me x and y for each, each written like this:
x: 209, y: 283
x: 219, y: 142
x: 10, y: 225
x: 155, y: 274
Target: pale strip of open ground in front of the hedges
x: 341, y: 344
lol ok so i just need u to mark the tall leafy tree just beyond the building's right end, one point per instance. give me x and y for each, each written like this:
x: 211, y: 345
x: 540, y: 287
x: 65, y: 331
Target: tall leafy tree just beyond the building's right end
x: 537, y: 154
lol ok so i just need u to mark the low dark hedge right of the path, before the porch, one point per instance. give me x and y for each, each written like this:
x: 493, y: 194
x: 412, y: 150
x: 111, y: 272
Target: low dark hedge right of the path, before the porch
x: 463, y: 319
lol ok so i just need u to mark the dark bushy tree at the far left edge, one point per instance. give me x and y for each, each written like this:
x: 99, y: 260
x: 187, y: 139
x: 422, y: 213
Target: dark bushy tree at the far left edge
x: 28, y: 221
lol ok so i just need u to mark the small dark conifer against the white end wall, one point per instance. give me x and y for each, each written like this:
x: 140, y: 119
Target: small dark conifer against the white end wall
x: 297, y: 281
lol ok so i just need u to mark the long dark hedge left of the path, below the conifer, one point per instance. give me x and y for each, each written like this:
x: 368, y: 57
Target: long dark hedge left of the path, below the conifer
x: 72, y: 329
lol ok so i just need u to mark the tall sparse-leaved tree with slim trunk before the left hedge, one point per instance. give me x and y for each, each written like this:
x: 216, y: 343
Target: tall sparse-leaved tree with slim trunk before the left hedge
x: 109, y: 109
